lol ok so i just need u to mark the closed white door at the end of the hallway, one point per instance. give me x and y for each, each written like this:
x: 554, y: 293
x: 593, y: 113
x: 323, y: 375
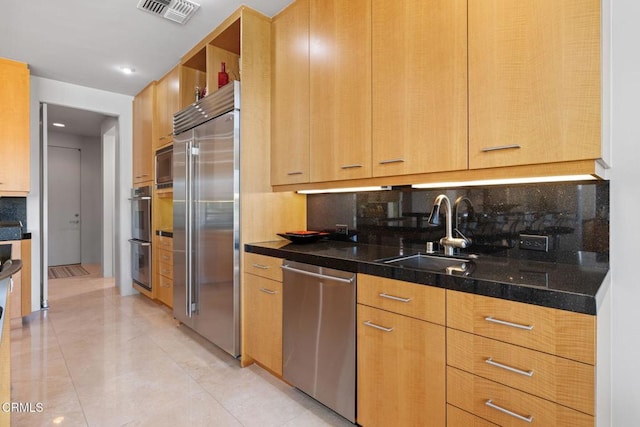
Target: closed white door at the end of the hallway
x: 64, y: 205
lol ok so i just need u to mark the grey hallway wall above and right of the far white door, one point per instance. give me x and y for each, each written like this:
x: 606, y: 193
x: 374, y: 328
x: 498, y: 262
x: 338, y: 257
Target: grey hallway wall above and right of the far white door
x: 90, y: 192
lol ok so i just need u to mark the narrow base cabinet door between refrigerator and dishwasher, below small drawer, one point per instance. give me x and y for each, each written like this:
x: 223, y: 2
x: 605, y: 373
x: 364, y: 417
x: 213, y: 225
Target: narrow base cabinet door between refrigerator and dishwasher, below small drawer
x: 263, y: 321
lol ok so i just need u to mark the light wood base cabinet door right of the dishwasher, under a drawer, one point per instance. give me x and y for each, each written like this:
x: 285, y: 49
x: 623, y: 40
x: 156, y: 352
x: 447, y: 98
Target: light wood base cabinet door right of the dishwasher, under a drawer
x: 401, y: 370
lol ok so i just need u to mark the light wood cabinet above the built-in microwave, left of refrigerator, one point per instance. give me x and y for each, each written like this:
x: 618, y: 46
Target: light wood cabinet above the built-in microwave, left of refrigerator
x: 167, y: 103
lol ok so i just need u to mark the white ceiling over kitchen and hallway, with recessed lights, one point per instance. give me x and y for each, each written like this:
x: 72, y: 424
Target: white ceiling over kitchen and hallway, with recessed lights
x: 86, y: 42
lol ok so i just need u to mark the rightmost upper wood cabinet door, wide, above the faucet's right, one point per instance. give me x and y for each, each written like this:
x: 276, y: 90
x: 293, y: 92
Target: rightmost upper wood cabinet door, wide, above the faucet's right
x: 534, y: 81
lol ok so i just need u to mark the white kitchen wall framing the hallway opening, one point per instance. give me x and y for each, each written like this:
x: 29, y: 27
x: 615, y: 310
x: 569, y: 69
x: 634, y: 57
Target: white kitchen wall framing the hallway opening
x: 108, y: 103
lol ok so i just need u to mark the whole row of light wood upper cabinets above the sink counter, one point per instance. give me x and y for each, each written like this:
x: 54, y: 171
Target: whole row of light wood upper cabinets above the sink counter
x: 431, y: 91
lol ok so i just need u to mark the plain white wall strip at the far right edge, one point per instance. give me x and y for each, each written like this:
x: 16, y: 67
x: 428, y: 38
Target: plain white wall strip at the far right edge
x: 625, y: 211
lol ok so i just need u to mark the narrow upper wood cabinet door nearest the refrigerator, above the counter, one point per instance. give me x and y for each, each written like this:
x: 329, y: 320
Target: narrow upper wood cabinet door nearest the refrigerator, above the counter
x: 290, y: 95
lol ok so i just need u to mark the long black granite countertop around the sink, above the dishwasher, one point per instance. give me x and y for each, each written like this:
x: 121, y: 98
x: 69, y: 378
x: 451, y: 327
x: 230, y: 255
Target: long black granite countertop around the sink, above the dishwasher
x: 577, y: 286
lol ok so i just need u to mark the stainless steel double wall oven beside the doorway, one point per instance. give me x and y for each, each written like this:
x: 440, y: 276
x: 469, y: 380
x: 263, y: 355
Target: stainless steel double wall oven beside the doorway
x: 141, y: 236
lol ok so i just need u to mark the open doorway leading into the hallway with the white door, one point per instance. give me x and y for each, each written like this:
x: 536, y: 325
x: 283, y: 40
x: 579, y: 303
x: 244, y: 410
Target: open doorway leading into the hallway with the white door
x: 78, y: 165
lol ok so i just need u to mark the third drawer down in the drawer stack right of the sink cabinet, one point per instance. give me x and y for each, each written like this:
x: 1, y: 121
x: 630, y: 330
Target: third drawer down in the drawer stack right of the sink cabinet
x: 506, y: 406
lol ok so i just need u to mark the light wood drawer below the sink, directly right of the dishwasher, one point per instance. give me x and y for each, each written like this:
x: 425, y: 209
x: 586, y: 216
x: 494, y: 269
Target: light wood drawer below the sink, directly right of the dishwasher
x: 410, y: 299
